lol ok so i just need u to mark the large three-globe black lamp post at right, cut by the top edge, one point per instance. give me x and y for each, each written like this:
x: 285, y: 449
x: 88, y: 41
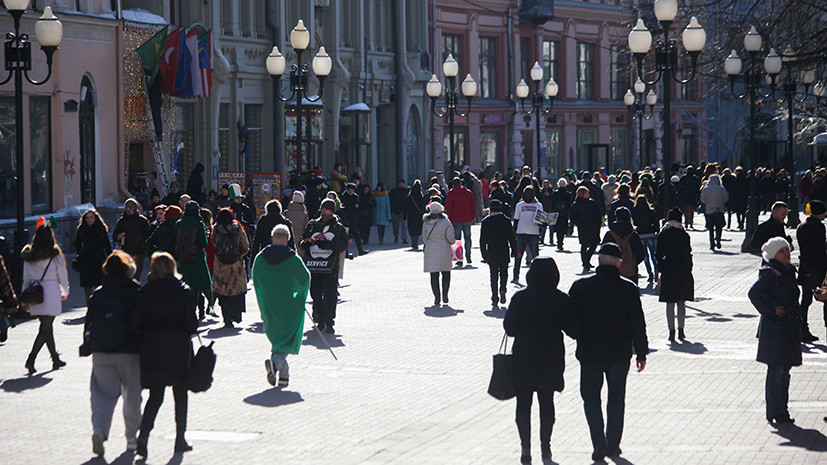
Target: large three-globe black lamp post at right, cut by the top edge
x: 666, y: 65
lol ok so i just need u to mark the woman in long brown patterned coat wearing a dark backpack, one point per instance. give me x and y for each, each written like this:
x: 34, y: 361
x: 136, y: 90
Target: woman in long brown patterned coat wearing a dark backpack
x: 229, y: 274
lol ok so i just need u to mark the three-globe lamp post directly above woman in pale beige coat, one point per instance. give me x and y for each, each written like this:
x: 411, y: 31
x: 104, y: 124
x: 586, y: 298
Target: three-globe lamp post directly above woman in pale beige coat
x: 434, y: 88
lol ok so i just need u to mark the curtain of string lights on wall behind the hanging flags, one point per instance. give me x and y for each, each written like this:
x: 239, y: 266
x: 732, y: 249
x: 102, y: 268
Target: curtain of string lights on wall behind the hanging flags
x: 138, y: 126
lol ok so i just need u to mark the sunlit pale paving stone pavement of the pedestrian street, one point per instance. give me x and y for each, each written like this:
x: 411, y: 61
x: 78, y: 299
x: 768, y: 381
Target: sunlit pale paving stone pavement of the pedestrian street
x: 410, y: 383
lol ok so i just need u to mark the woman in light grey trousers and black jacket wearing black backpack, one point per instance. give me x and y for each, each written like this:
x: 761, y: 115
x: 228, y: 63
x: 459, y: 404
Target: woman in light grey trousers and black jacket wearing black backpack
x: 116, y: 368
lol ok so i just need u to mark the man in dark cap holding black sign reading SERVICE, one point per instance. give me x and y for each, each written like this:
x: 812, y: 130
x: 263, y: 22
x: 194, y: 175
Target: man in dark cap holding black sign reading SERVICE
x: 323, y: 239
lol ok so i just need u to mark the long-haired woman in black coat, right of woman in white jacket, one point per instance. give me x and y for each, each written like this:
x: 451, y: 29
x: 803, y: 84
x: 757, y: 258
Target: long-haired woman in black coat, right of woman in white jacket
x: 93, y: 246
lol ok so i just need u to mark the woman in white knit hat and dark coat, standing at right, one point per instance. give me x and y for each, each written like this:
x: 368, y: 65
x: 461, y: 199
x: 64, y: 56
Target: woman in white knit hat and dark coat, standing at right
x: 775, y: 296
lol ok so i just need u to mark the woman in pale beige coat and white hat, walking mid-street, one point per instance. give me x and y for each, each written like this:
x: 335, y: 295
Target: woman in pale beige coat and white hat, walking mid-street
x: 438, y: 237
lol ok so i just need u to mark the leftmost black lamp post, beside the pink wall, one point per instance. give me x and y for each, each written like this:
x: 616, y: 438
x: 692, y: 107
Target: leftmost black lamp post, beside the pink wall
x: 18, y: 49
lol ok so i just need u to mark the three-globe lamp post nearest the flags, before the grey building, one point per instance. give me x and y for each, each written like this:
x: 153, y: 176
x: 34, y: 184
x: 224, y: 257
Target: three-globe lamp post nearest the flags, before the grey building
x: 276, y: 65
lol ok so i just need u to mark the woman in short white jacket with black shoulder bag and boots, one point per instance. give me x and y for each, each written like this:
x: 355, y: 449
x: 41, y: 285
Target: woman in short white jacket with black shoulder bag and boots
x: 44, y: 261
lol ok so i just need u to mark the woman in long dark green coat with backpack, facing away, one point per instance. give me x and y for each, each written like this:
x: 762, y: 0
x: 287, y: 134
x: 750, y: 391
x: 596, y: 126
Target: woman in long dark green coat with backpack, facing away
x: 191, y: 253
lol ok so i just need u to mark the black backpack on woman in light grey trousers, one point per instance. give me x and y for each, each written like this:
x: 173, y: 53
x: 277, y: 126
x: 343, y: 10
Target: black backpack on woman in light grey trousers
x: 108, y: 329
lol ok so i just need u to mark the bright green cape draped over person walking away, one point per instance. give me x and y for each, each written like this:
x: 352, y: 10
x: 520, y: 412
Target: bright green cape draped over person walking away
x: 281, y: 282
